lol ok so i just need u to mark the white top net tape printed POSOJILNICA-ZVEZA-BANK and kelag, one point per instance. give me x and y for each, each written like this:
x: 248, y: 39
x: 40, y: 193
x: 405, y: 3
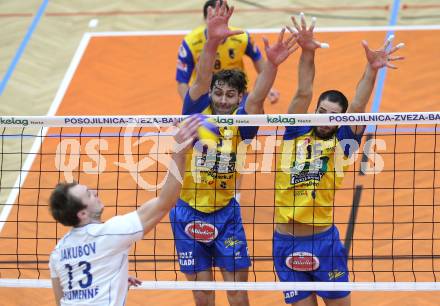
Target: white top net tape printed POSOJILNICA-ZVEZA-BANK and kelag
x: 225, y: 120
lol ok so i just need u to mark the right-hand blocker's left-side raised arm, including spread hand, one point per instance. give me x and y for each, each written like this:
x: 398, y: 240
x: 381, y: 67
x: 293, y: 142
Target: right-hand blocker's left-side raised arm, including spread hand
x: 306, y: 67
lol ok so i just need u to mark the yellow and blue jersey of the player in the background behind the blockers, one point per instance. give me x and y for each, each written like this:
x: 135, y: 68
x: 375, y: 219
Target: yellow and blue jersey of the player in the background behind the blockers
x: 229, y: 54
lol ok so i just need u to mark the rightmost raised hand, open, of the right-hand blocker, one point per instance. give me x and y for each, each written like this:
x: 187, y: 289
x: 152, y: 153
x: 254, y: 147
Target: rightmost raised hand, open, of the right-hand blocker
x: 382, y: 57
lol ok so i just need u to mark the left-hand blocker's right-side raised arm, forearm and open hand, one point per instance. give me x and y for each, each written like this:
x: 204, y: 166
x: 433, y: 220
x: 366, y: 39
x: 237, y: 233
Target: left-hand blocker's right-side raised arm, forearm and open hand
x: 276, y: 54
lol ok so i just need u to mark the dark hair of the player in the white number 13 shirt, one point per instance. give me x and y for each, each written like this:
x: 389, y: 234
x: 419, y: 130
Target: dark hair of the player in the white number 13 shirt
x: 63, y: 206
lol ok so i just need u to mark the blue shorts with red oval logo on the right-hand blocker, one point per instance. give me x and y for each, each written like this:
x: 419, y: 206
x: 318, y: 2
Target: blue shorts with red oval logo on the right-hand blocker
x: 320, y: 257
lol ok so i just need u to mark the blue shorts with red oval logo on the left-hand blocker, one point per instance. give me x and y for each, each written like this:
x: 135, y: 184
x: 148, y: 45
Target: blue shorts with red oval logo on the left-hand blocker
x: 204, y: 240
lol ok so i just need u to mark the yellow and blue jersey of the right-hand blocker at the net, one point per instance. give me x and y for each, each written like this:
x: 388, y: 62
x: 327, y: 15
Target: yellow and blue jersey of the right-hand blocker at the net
x: 306, y: 179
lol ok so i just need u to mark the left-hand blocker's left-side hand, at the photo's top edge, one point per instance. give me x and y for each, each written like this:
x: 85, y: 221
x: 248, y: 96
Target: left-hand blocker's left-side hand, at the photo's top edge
x: 217, y: 22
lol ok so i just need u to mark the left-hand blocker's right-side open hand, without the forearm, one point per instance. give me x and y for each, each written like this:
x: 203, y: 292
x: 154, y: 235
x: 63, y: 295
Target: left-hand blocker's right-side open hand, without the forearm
x: 280, y: 51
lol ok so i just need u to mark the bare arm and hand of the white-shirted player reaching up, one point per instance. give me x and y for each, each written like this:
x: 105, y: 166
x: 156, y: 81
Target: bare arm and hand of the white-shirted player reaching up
x: 154, y: 210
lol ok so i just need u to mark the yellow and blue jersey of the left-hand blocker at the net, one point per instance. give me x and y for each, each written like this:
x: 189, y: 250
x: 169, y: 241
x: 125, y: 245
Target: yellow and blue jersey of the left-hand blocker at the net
x: 210, y: 175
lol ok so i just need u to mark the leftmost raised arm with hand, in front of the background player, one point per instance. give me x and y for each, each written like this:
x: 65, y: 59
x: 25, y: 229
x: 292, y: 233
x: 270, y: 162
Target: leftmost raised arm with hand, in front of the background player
x: 217, y: 32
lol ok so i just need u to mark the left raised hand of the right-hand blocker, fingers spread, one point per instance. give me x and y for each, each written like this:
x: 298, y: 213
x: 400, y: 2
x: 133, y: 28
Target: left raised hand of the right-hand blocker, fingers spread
x: 305, y: 35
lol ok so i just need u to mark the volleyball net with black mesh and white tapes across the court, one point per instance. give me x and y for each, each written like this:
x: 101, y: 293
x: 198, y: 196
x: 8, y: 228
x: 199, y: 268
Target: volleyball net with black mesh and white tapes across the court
x: 387, y: 208
